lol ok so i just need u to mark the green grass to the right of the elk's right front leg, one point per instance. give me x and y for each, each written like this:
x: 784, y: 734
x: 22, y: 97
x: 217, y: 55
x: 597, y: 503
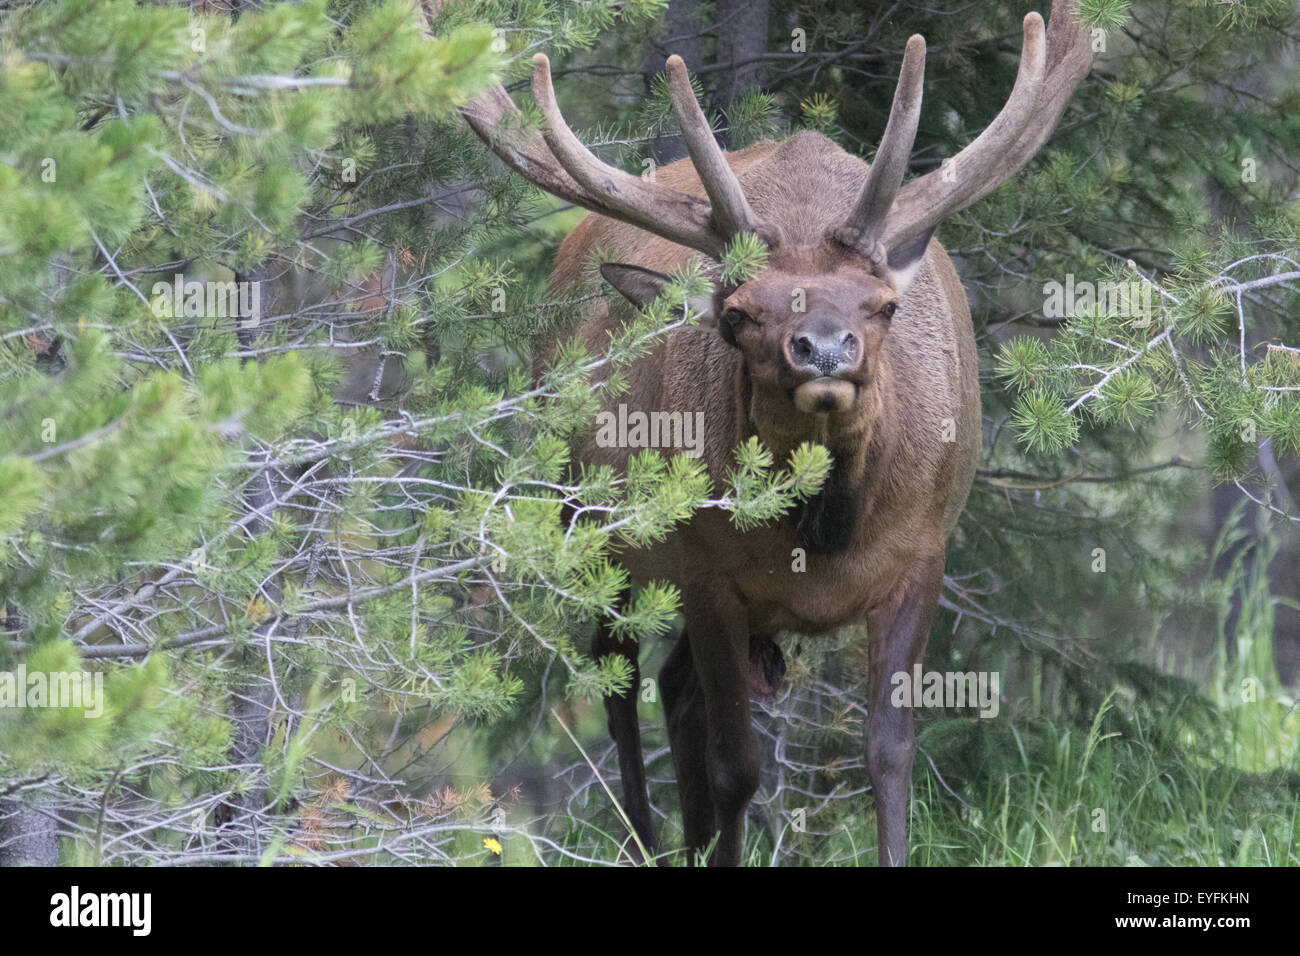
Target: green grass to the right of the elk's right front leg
x: 1113, y: 801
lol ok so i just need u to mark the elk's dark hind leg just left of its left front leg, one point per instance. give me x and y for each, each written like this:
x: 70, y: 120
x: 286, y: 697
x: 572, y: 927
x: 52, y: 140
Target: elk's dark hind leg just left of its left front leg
x: 688, y: 730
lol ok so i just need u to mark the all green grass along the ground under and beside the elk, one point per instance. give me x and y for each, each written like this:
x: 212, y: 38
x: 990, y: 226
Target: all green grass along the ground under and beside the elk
x: 1071, y: 798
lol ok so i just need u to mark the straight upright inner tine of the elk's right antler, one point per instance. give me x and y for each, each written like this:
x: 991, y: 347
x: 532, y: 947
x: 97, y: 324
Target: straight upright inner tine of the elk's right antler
x: 866, y: 223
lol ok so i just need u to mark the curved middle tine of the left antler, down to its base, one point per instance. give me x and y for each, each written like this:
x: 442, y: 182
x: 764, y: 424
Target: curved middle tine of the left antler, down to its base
x: 660, y: 210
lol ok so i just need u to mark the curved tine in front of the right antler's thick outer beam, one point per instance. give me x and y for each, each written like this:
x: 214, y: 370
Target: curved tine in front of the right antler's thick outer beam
x: 983, y: 166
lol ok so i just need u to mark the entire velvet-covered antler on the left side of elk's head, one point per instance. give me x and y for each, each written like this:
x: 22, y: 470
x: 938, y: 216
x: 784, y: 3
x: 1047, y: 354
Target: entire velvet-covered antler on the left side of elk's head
x: 557, y: 162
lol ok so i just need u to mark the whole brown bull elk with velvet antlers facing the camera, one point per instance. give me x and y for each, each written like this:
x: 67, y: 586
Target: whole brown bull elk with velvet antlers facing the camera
x: 879, y: 367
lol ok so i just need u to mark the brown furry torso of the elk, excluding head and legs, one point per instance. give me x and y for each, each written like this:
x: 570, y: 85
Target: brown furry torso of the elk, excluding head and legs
x: 912, y: 486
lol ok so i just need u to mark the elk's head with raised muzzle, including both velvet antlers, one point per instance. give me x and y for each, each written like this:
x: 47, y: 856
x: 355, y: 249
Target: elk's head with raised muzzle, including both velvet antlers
x: 821, y: 360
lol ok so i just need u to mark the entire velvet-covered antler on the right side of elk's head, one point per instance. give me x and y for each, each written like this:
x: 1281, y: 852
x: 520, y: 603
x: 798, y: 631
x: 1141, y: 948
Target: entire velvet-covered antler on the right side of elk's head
x: 1052, y: 66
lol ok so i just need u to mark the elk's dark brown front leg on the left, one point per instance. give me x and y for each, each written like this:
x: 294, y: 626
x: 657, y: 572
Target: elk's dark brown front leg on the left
x: 720, y: 648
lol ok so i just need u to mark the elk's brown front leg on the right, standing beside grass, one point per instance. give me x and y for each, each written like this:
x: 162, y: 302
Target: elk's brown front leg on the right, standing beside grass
x: 898, y: 634
